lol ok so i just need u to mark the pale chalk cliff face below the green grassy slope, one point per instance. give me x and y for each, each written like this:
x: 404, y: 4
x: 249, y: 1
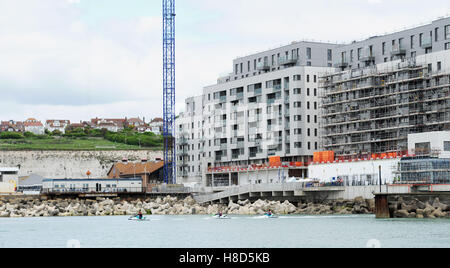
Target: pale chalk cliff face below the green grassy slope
x: 70, y: 164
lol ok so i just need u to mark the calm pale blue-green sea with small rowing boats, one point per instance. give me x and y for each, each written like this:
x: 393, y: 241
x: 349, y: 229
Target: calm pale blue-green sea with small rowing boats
x: 238, y: 232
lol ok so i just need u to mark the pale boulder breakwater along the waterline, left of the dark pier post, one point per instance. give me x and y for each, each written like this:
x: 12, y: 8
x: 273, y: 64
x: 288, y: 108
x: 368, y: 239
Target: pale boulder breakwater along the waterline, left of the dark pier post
x: 37, y: 207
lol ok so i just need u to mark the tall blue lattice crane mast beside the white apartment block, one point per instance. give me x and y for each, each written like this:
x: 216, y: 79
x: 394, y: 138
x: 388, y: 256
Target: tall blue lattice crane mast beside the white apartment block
x: 169, y: 169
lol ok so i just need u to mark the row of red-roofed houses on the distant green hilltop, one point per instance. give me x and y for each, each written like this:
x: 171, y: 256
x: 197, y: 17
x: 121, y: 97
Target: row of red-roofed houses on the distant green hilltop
x: 114, y: 125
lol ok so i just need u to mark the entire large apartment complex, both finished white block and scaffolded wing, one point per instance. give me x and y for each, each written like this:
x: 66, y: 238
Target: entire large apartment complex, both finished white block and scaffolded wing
x: 359, y: 100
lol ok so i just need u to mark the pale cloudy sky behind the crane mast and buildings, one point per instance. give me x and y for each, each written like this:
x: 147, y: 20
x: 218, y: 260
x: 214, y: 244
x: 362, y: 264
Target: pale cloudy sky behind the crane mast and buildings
x: 81, y: 59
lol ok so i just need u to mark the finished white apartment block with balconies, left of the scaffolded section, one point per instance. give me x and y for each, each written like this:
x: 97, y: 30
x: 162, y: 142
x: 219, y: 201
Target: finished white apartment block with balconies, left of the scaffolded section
x: 272, y: 109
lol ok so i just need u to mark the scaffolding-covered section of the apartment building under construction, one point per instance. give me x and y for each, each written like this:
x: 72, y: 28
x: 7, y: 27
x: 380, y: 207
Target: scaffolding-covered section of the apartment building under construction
x: 372, y: 110
